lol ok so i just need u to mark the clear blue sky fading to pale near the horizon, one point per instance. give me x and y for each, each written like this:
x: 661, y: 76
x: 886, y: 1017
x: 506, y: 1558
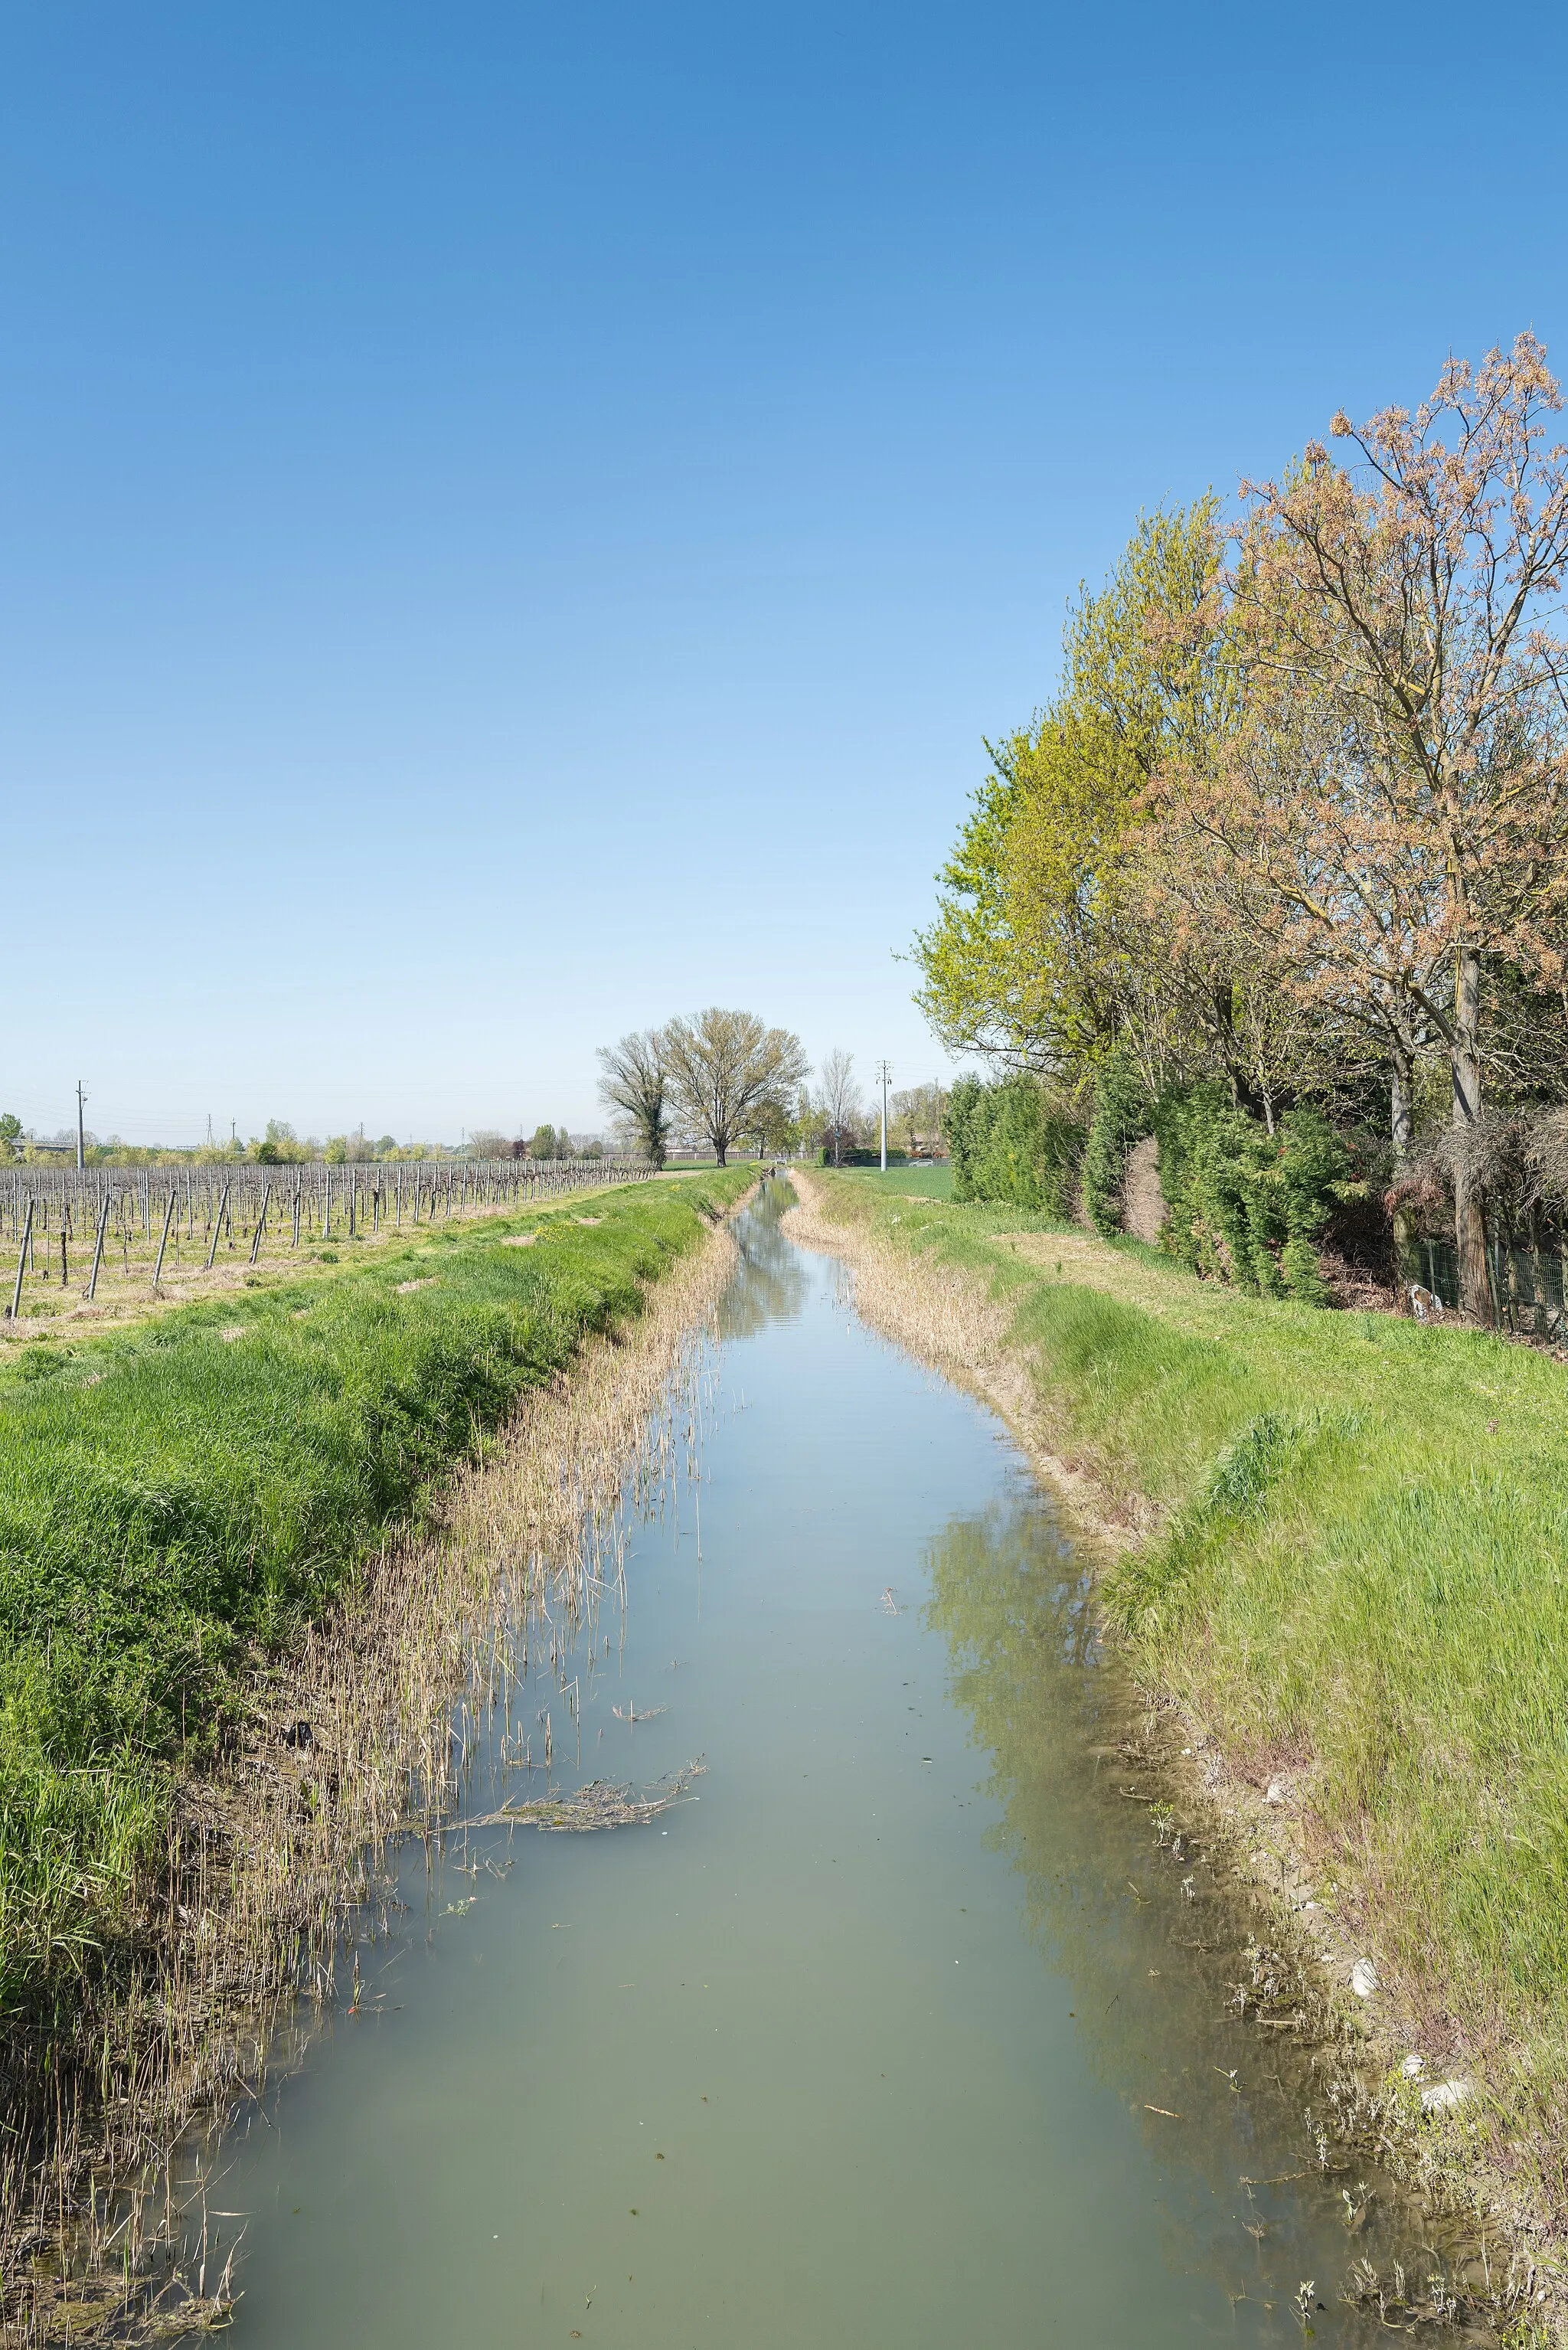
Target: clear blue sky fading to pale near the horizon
x: 516, y: 521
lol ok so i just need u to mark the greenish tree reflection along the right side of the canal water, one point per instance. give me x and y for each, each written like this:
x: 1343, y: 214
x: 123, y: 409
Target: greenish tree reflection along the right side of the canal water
x: 1153, y: 1945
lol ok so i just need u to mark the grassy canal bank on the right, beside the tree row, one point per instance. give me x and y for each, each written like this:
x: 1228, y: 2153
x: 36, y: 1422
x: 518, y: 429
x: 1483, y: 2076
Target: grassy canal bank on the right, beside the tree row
x: 1351, y: 1569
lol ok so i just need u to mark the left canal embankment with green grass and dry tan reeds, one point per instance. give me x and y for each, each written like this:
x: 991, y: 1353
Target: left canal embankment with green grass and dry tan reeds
x: 248, y: 1555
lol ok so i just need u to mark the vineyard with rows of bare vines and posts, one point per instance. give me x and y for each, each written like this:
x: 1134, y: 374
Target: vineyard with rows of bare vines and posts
x: 114, y: 1237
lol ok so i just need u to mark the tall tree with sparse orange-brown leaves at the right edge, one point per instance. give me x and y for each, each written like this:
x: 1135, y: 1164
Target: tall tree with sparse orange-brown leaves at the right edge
x: 1405, y: 777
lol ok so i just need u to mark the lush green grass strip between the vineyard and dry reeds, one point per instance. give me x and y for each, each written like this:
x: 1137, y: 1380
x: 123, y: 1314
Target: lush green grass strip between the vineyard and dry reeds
x: 177, y: 1505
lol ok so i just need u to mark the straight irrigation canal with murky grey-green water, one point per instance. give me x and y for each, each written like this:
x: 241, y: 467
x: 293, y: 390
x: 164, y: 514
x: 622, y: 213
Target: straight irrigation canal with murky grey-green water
x: 899, y: 2034
